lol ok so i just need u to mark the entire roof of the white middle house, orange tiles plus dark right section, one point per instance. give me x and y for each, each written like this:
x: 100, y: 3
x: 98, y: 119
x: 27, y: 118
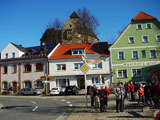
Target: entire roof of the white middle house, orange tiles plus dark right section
x: 64, y: 51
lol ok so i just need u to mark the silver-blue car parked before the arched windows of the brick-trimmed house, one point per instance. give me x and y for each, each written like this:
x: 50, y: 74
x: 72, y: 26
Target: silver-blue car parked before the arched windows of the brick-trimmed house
x: 30, y: 91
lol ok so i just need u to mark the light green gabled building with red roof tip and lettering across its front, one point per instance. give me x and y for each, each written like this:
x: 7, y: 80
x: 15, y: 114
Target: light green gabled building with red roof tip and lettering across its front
x: 135, y: 55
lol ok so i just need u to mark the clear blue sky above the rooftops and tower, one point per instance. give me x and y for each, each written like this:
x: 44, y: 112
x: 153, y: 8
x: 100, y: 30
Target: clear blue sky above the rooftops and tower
x: 24, y: 21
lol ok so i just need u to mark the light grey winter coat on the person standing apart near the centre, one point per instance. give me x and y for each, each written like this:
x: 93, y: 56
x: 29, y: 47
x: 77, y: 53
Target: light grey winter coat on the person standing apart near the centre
x: 119, y: 92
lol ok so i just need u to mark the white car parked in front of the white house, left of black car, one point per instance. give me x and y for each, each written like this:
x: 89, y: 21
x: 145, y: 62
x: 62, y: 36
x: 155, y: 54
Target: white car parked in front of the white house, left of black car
x: 57, y: 91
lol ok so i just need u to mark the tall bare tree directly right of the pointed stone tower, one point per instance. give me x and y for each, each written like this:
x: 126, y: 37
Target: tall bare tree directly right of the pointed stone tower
x: 88, y: 22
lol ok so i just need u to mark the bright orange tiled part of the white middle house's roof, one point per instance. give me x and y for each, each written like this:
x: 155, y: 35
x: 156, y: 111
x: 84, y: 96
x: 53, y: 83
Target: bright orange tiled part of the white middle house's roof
x: 64, y: 51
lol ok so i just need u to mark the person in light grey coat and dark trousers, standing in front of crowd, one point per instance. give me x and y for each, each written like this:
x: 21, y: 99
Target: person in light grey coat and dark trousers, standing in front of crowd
x: 119, y: 93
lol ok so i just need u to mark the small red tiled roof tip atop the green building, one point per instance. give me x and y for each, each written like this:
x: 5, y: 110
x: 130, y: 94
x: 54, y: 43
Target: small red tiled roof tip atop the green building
x: 143, y: 16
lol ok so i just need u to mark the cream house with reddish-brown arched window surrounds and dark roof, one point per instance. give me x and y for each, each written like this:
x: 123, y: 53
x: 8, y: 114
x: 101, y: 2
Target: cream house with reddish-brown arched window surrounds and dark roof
x: 26, y: 70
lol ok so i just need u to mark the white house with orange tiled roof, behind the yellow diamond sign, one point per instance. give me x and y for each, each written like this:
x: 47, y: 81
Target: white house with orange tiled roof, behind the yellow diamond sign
x: 65, y: 66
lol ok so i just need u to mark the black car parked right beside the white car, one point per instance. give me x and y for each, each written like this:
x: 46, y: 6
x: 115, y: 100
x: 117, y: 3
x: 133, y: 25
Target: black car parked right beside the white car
x: 71, y: 90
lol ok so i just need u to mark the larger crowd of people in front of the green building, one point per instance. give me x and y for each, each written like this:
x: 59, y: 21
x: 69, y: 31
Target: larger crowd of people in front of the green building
x: 148, y: 94
